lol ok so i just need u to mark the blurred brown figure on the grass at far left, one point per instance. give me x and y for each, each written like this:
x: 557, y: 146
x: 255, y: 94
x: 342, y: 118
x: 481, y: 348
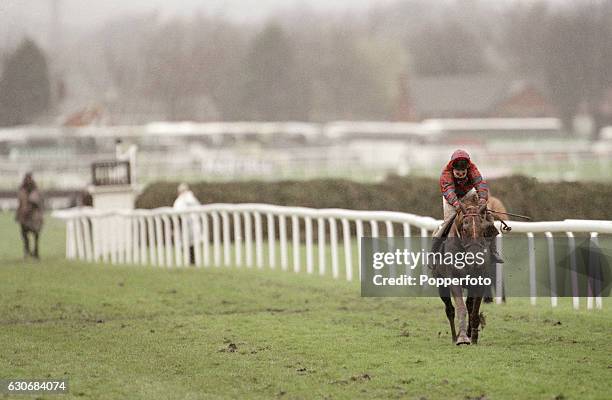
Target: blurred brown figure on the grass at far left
x: 29, y: 214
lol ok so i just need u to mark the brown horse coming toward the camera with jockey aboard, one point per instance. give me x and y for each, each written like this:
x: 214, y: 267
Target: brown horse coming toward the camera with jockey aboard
x: 468, y: 235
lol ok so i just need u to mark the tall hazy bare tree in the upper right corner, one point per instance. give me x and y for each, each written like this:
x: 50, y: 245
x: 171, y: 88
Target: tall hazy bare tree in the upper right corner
x: 570, y: 47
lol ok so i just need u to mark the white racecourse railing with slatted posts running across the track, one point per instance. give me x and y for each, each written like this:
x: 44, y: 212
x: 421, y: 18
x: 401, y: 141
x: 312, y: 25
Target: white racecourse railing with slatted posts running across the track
x: 233, y: 234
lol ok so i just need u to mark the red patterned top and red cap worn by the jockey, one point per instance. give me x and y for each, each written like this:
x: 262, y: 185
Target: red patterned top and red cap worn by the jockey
x: 454, y: 189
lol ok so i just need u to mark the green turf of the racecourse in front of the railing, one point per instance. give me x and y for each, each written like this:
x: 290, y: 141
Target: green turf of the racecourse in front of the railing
x: 147, y: 333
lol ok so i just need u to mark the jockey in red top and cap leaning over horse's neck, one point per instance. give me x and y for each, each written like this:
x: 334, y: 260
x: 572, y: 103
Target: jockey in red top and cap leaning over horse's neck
x: 461, y: 178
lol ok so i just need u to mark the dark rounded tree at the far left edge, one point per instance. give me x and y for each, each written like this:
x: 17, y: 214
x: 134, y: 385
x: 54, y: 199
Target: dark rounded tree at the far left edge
x: 25, y: 88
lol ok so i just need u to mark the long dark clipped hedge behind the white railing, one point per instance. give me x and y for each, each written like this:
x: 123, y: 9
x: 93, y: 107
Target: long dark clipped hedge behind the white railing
x: 520, y: 194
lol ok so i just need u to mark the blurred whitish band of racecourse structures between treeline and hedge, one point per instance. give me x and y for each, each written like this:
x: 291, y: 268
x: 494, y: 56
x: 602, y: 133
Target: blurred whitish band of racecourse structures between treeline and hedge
x: 61, y: 157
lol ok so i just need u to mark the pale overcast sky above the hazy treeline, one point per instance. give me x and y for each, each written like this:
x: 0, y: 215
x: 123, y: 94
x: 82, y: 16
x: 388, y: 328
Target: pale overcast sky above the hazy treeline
x: 33, y: 17
